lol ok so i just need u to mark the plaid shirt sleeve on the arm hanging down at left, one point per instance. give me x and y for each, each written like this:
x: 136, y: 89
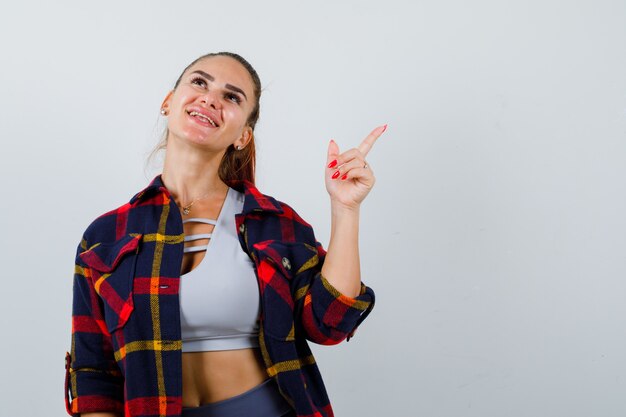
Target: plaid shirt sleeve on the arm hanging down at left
x: 92, y: 378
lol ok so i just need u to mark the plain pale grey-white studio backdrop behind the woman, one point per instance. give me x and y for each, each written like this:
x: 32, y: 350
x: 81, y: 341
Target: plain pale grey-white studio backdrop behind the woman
x: 495, y: 236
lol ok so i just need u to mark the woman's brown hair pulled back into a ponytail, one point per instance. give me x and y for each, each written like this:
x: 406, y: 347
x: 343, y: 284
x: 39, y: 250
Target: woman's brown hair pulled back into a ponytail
x: 235, y: 165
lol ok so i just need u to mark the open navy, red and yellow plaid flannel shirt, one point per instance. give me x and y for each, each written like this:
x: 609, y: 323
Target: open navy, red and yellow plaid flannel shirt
x: 126, y: 334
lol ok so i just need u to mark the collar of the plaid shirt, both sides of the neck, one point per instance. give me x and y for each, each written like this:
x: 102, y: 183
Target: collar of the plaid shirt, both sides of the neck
x: 254, y: 200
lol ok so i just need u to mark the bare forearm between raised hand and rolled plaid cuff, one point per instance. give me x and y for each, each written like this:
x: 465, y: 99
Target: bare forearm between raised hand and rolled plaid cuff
x: 342, y: 265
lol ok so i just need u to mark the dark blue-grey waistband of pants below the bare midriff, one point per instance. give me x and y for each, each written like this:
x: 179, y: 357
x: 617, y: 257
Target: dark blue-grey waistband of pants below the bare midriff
x: 264, y: 400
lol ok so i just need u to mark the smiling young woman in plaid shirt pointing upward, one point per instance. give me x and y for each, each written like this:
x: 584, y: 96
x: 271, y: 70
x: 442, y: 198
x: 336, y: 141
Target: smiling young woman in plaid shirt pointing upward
x: 197, y: 297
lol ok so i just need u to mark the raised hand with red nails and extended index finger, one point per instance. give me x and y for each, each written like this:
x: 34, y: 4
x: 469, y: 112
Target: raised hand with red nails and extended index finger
x: 348, y: 176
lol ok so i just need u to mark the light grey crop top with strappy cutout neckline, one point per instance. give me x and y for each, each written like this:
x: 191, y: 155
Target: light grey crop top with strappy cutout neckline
x: 219, y: 298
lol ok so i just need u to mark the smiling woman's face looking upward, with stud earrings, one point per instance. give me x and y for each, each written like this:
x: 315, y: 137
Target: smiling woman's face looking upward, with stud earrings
x: 211, y: 105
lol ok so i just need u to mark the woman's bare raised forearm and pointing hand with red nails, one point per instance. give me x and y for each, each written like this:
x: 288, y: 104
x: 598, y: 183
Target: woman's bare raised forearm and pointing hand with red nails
x: 348, y: 181
